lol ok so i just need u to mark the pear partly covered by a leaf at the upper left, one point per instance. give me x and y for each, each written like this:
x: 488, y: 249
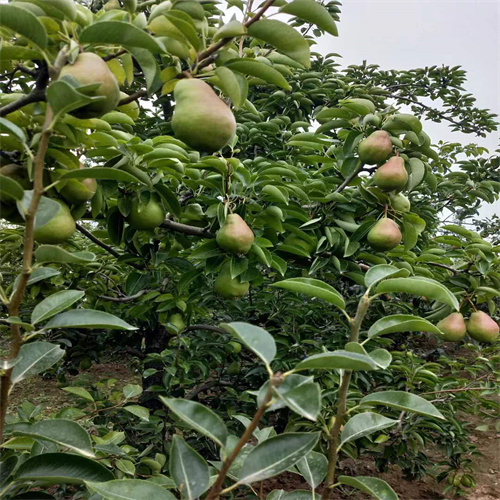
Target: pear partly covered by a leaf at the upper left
x: 89, y: 69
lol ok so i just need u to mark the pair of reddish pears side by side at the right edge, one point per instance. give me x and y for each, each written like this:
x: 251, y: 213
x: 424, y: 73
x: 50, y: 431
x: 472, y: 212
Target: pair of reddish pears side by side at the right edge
x: 480, y: 327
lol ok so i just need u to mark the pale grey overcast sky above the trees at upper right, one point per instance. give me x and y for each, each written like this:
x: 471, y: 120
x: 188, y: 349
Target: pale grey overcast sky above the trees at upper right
x: 405, y: 34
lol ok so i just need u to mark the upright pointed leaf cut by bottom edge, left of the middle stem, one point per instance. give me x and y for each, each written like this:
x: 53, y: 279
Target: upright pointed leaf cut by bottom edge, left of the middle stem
x: 188, y: 469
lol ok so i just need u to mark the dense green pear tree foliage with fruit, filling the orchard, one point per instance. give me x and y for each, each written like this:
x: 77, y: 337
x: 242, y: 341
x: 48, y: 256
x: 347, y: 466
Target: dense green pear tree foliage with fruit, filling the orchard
x: 259, y: 228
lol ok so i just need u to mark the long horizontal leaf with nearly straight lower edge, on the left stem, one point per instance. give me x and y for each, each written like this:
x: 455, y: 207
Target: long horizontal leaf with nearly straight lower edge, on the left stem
x: 88, y: 318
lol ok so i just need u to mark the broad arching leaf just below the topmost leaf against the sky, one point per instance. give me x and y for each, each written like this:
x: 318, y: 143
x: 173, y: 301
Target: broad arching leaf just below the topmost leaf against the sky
x: 284, y: 38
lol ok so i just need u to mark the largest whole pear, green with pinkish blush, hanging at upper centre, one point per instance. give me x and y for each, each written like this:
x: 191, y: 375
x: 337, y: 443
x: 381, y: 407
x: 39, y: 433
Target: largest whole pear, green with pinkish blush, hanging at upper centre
x: 201, y: 119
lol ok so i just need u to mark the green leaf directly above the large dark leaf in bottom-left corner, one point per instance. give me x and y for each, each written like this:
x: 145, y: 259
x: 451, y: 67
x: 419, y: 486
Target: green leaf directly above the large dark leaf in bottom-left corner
x: 65, y: 433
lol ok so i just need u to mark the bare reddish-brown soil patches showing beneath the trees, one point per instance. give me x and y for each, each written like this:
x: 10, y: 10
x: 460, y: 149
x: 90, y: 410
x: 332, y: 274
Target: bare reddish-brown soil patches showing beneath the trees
x: 486, y: 466
